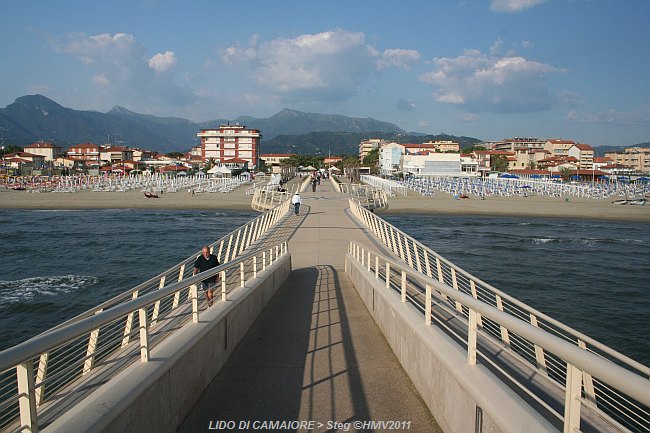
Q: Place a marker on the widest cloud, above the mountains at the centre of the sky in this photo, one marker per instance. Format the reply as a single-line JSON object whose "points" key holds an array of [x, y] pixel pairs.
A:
{"points": [[329, 65]]}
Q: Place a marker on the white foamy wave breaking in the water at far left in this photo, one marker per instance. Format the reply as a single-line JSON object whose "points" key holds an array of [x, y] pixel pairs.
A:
{"points": [[28, 289]]}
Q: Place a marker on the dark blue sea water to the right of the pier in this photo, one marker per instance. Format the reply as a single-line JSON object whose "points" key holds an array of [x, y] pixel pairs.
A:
{"points": [[592, 275]]}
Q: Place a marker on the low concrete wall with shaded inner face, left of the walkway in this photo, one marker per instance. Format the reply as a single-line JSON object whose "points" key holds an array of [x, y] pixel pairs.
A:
{"points": [[157, 396]]}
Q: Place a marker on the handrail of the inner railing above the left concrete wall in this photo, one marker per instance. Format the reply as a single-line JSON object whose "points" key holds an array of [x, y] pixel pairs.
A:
{"points": [[42, 343]]}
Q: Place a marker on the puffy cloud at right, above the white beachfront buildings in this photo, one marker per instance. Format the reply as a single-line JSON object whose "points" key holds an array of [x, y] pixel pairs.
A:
{"points": [[490, 82]]}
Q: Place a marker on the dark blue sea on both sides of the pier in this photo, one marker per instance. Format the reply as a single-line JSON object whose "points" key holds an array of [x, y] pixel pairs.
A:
{"points": [[593, 275]]}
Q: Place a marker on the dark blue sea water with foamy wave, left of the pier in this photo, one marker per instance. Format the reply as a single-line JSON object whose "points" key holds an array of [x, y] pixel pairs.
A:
{"points": [[55, 264]]}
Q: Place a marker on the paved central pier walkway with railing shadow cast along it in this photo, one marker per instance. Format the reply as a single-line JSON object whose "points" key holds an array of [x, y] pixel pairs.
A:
{"points": [[315, 353]]}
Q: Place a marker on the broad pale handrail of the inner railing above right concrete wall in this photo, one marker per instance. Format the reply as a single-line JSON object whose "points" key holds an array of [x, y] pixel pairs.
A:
{"points": [[632, 384]]}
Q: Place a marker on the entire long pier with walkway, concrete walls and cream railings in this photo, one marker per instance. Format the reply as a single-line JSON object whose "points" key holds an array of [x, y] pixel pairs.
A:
{"points": [[332, 316]]}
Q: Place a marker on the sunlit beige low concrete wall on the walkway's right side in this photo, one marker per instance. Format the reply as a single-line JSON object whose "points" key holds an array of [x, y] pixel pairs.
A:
{"points": [[438, 367]]}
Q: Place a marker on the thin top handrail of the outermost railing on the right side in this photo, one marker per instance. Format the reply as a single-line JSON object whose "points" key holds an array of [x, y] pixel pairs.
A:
{"points": [[595, 343]]}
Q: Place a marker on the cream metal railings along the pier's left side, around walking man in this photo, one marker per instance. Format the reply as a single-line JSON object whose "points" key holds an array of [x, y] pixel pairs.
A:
{"points": [[36, 372]]}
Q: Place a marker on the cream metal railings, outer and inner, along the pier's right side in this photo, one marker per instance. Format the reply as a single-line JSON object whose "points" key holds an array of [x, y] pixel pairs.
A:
{"points": [[621, 405]]}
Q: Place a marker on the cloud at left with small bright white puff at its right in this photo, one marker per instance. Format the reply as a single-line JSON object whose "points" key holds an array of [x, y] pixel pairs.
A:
{"points": [[123, 69]]}
